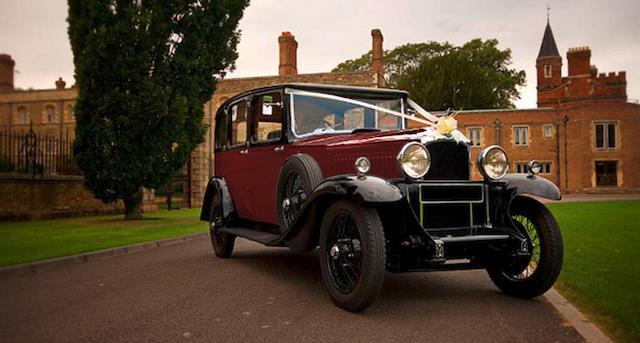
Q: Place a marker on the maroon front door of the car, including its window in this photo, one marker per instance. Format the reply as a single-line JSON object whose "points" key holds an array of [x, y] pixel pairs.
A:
{"points": [[267, 154]]}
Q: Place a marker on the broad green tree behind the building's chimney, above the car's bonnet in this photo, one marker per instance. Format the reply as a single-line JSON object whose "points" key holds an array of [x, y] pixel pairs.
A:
{"points": [[441, 76]]}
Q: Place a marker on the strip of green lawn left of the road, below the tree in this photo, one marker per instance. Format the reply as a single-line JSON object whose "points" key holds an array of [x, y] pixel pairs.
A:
{"points": [[37, 240]]}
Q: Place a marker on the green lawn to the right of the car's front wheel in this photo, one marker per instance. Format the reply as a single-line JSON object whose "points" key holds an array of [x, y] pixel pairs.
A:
{"points": [[601, 271]]}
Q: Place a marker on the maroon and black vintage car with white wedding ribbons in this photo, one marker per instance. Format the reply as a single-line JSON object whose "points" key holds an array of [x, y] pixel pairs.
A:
{"points": [[380, 185]]}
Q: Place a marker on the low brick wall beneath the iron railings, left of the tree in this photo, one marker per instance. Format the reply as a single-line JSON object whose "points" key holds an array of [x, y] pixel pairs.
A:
{"points": [[24, 198]]}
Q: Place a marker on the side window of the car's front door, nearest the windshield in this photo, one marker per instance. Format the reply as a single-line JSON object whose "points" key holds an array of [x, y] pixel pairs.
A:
{"points": [[267, 117]]}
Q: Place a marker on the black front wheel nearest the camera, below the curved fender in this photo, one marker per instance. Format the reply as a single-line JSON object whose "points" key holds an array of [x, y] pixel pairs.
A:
{"points": [[369, 258]]}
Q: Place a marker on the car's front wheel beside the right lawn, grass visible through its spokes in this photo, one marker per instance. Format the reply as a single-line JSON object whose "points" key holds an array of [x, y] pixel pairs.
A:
{"points": [[537, 275]]}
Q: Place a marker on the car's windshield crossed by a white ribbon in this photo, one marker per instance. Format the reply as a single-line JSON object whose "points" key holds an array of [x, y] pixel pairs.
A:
{"points": [[315, 114]]}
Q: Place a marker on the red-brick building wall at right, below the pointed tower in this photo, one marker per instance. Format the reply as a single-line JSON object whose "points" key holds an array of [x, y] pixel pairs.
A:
{"points": [[571, 153]]}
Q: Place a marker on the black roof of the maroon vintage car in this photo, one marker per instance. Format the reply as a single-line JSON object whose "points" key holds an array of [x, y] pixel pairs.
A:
{"points": [[322, 88]]}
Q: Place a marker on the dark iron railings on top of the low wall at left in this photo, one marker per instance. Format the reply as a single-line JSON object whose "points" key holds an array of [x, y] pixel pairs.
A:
{"points": [[37, 154]]}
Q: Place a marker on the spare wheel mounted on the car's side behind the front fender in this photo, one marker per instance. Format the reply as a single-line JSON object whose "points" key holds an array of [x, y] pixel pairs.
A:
{"points": [[299, 175]]}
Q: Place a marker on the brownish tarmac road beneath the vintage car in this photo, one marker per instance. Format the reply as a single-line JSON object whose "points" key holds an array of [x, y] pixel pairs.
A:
{"points": [[182, 293]]}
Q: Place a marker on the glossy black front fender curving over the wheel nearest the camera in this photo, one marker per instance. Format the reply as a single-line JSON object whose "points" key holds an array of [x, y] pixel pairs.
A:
{"points": [[371, 190]]}
